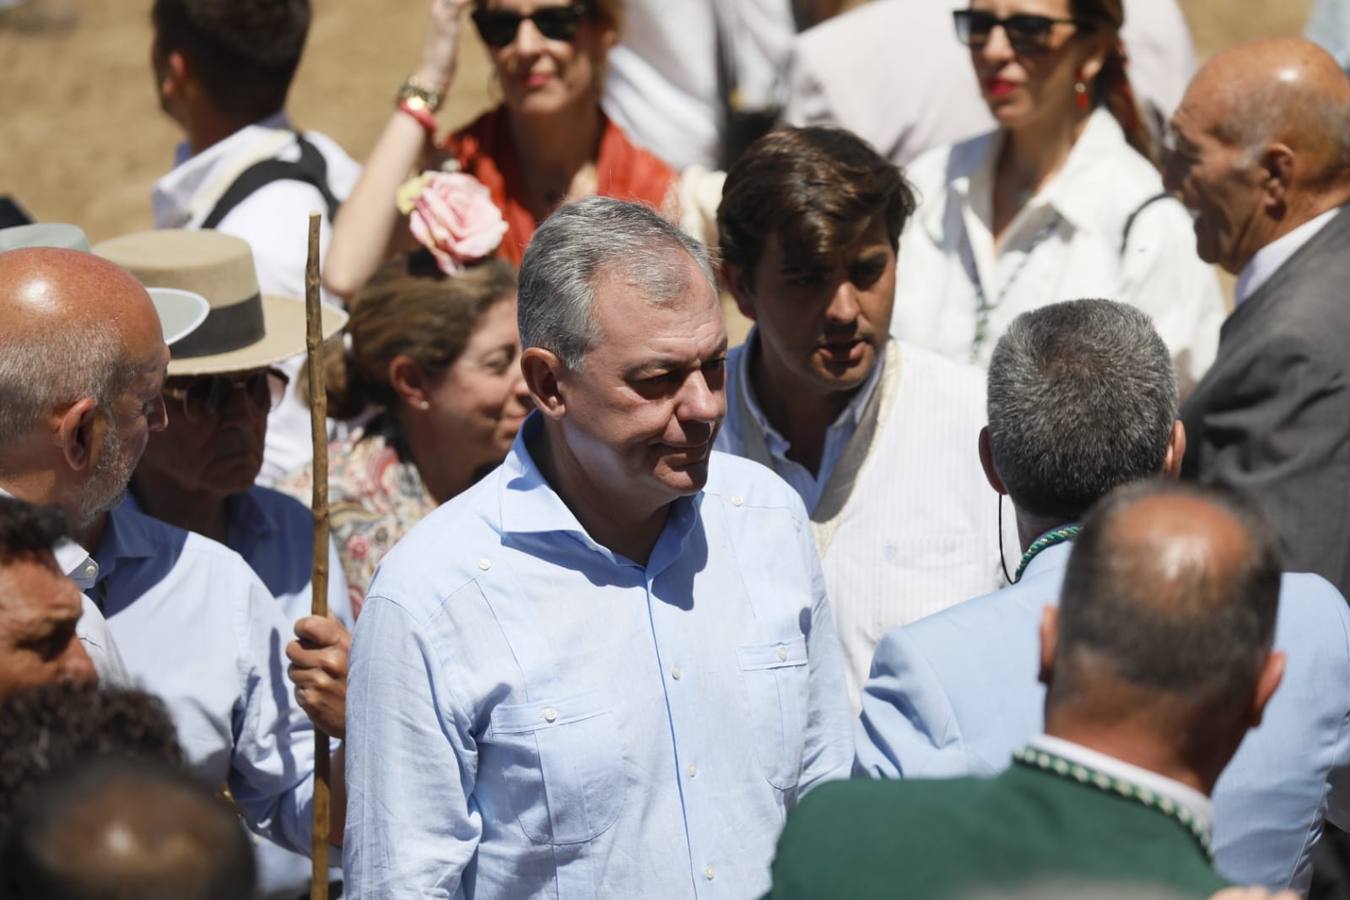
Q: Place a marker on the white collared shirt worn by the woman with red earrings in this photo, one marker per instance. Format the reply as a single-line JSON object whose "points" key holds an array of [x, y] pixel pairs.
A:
{"points": [[1064, 245]]}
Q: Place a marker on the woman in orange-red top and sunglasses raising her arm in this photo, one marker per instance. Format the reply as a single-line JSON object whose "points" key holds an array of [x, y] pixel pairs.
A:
{"points": [[547, 144]]}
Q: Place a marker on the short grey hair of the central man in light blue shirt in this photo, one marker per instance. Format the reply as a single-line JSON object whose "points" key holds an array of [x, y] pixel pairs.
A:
{"points": [[584, 242]]}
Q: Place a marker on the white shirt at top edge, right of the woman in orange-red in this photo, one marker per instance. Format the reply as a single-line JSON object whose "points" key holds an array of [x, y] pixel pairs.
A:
{"points": [[662, 87]]}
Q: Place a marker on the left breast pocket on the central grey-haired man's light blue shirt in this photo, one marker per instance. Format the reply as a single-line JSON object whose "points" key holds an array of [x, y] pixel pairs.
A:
{"points": [[561, 766]]}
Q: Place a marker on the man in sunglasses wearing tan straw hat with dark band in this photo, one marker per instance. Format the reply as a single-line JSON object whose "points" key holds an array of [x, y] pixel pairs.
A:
{"points": [[199, 473]]}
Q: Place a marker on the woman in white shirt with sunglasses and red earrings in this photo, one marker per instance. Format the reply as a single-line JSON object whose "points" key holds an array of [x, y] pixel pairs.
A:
{"points": [[1062, 202]]}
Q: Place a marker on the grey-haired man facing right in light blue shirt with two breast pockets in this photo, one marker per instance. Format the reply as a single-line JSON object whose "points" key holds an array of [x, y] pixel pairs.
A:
{"points": [[610, 669]]}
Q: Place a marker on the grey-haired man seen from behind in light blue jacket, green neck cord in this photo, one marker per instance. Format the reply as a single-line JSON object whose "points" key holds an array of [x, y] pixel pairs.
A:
{"points": [[1082, 400]]}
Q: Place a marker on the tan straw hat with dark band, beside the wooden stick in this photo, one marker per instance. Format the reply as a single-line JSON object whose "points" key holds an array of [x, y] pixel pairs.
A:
{"points": [[245, 329]]}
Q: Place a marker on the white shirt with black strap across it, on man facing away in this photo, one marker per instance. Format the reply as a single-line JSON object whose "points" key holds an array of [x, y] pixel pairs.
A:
{"points": [[275, 221]]}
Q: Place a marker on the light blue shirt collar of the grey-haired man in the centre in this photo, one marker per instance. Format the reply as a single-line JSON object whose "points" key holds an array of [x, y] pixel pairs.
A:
{"points": [[530, 505]]}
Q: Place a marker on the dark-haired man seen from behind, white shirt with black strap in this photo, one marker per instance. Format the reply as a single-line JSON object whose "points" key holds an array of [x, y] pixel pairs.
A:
{"points": [[223, 69]]}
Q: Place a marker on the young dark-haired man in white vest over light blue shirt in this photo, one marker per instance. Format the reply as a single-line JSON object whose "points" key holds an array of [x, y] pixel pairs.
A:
{"points": [[859, 424]]}
